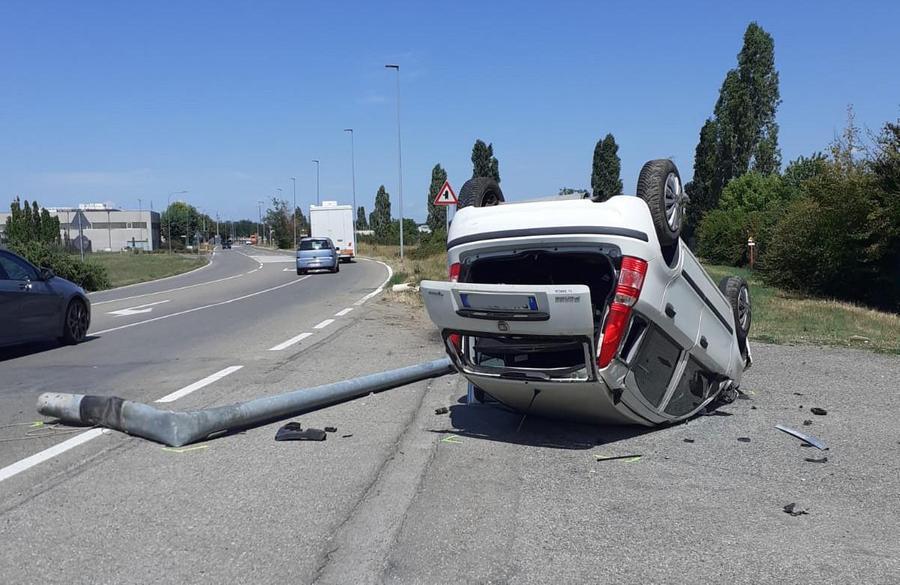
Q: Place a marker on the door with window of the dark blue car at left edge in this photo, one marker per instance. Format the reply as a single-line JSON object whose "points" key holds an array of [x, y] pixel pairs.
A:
{"points": [[37, 305]]}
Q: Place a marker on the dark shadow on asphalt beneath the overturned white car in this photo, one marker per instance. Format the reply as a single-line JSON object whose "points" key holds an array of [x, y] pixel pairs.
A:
{"points": [[494, 422]]}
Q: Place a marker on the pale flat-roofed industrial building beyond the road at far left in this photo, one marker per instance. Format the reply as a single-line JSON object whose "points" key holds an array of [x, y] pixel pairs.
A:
{"points": [[98, 227]]}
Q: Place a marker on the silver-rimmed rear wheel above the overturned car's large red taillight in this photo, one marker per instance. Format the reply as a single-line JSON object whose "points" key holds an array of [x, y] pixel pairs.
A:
{"points": [[659, 185]]}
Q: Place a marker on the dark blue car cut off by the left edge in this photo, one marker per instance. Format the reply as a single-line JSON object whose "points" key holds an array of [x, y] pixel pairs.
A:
{"points": [[36, 304]]}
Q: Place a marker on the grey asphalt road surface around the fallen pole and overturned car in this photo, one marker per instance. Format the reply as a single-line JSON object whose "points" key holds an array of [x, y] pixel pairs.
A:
{"points": [[402, 495]]}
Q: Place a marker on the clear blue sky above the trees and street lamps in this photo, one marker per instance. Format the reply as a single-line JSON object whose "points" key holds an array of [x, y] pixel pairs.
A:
{"points": [[115, 101]]}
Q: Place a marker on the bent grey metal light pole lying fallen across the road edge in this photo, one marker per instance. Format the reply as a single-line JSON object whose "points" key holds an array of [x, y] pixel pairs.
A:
{"points": [[180, 428]]}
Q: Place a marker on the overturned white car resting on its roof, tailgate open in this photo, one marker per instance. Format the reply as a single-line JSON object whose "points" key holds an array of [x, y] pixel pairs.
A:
{"points": [[591, 311]]}
